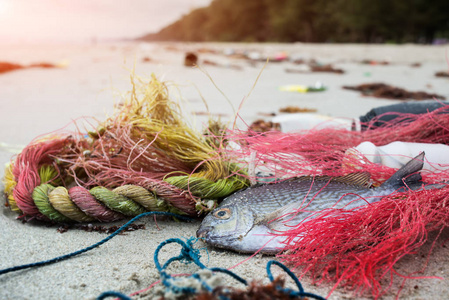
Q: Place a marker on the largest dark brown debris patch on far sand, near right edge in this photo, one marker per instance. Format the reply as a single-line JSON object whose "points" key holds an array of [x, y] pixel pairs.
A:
{"points": [[381, 90]]}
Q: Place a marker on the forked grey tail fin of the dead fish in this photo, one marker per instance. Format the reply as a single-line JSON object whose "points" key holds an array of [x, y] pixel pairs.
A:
{"points": [[406, 173]]}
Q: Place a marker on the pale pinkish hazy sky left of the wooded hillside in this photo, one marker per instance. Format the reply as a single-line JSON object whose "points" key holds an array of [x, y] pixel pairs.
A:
{"points": [[86, 20]]}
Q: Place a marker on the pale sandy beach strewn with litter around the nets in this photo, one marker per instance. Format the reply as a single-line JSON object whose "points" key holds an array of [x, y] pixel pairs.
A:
{"points": [[92, 78]]}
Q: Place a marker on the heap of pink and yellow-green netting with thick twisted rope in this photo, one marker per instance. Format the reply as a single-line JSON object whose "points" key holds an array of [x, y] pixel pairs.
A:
{"points": [[143, 158]]}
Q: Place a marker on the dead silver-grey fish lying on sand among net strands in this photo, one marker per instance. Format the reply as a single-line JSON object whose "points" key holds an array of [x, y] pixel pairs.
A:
{"points": [[244, 222]]}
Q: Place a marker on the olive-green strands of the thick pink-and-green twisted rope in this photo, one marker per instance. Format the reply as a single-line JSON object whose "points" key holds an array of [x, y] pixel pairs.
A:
{"points": [[130, 200]]}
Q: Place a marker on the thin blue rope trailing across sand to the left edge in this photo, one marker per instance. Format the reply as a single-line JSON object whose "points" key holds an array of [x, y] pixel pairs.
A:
{"points": [[67, 256]]}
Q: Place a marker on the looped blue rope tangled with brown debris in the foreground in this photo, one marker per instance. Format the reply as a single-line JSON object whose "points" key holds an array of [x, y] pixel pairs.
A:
{"points": [[204, 284]]}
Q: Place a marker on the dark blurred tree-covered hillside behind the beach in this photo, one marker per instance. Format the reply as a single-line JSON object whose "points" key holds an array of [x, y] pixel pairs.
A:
{"points": [[359, 21]]}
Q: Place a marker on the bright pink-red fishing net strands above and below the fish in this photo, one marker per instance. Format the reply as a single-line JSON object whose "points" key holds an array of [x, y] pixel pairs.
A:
{"points": [[356, 248]]}
